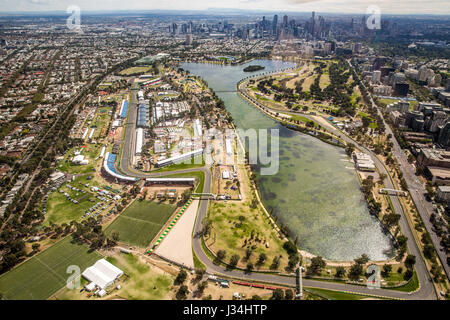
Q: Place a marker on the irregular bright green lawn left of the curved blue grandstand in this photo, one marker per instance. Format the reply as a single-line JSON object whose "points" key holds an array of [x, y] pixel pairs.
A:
{"points": [[60, 210]]}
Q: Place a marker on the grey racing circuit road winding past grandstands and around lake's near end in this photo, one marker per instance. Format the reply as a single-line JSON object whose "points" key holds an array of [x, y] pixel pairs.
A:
{"points": [[424, 293]]}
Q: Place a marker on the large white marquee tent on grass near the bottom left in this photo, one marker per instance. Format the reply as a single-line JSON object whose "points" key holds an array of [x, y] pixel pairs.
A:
{"points": [[102, 273]]}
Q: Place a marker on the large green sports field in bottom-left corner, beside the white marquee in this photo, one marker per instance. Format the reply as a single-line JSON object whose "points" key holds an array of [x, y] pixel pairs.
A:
{"points": [[45, 273]]}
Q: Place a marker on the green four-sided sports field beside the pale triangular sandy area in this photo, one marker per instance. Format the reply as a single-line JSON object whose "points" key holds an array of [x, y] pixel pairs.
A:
{"points": [[140, 222]]}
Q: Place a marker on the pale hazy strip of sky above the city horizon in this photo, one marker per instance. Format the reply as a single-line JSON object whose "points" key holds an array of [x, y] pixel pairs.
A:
{"points": [[333, 6]]}
